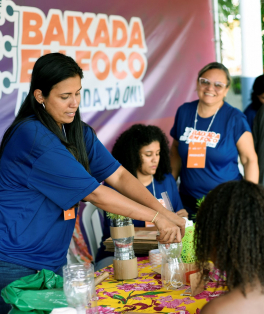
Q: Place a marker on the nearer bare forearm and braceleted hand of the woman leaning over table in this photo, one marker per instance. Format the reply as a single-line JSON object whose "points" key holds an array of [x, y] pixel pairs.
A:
{"points": [[114, 202]]}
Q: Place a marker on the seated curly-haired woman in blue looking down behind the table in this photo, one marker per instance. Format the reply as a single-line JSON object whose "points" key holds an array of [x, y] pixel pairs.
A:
{"points": [[144, 151]]}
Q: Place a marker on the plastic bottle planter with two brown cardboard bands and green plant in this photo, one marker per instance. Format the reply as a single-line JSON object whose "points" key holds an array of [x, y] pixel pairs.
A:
{"points": [[122, 233]]}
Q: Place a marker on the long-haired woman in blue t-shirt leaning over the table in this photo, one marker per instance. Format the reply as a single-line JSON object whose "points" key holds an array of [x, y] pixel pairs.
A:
{"points": [[49, 161]]}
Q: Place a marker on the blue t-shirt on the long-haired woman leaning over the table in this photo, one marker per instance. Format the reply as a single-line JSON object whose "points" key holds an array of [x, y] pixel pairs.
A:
{"points": [[39, 179]]}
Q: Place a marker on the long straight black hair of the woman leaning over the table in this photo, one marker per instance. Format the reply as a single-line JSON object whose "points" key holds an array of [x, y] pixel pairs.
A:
{"points": [[48, 71]]}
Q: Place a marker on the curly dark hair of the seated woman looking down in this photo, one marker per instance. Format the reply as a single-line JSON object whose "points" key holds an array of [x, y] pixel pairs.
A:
{"points": [[128, 144]]}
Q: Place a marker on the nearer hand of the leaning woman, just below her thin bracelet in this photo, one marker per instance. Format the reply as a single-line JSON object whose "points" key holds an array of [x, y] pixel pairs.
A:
{"points": [[168, 231]]}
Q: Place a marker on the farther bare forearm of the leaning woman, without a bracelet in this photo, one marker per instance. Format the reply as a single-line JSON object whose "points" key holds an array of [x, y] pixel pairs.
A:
{"points": [[125, 183]]}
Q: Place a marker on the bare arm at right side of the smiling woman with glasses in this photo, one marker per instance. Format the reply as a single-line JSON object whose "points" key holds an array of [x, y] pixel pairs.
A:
{"points": [[248, 157]]}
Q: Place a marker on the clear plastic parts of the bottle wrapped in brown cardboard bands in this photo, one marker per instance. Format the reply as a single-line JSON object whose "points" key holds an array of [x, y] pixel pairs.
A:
{"points": [[123, 246]]}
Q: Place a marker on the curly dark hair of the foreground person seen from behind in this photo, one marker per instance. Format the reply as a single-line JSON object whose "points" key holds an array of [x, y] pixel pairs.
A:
{"points": [[229, 231]]}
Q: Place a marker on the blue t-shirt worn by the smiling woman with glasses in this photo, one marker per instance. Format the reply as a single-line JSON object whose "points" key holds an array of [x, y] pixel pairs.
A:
{"points": [[221, 153]]}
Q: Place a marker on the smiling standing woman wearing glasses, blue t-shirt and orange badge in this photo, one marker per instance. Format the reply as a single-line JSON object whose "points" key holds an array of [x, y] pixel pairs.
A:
{"points": [[209, 134]]}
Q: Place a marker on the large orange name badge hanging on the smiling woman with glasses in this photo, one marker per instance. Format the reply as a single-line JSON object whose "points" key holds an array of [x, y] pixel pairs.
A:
{"points": [[196, 155]]}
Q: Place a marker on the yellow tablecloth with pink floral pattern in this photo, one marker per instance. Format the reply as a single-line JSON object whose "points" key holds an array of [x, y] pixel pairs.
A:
{"points": [[145, 294]]}
